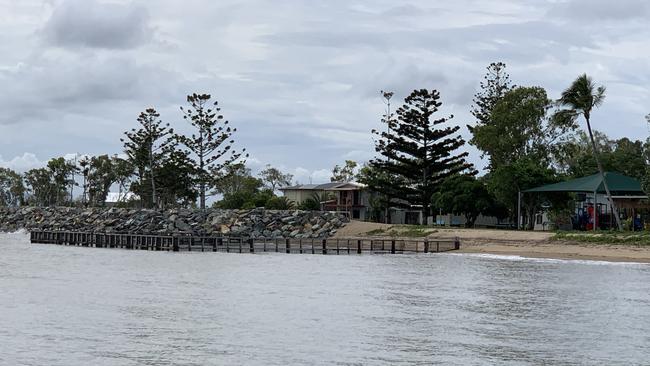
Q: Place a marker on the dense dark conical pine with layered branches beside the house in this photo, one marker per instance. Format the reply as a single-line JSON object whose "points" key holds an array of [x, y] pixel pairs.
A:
{"points": [[419, 151]]}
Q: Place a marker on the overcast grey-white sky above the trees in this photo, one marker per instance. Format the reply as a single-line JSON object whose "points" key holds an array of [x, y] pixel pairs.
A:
{"points": [[299, 79]]}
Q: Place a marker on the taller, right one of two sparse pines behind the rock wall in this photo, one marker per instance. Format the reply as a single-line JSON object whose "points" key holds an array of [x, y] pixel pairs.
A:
{"points": [[211, 145]]}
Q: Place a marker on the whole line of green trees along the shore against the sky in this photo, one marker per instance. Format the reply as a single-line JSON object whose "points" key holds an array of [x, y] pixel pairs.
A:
{"points": [[527, 138]]}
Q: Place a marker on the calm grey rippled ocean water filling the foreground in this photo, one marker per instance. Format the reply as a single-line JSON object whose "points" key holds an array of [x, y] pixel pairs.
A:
{"points": [[87, 306]]}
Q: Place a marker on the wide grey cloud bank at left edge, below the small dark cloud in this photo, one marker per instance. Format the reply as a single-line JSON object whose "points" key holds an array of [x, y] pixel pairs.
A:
{"points": [[49, 86]]}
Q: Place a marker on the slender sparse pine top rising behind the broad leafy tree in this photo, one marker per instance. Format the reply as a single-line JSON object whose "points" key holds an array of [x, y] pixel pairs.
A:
{"points": [[495, 85]]}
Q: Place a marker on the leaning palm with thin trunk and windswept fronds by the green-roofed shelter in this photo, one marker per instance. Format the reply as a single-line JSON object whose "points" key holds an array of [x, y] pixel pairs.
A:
{"points": [[580, 99]]}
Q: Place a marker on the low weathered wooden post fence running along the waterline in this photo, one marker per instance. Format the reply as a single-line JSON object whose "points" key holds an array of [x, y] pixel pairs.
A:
{"points": [[232, 244]]}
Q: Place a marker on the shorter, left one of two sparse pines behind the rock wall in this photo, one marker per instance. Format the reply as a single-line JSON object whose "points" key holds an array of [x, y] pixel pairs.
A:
{"points": [[145, 149]]}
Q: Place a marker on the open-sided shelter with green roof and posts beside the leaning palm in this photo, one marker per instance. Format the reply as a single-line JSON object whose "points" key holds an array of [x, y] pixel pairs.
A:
{"points": [[626, 191]]}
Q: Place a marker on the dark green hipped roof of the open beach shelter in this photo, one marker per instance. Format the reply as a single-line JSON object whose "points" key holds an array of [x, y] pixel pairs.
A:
{"points": [[619, 183]]}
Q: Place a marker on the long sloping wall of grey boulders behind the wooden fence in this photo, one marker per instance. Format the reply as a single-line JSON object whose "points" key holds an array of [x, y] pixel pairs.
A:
{"points": [[250, 223]]}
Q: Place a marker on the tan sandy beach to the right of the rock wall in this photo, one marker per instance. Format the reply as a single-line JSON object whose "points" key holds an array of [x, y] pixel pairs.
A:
{"points": [[531, 244]]}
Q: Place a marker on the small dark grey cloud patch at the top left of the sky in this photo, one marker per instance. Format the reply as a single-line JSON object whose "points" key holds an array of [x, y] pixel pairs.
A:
{"points": [[94, 24]]}
